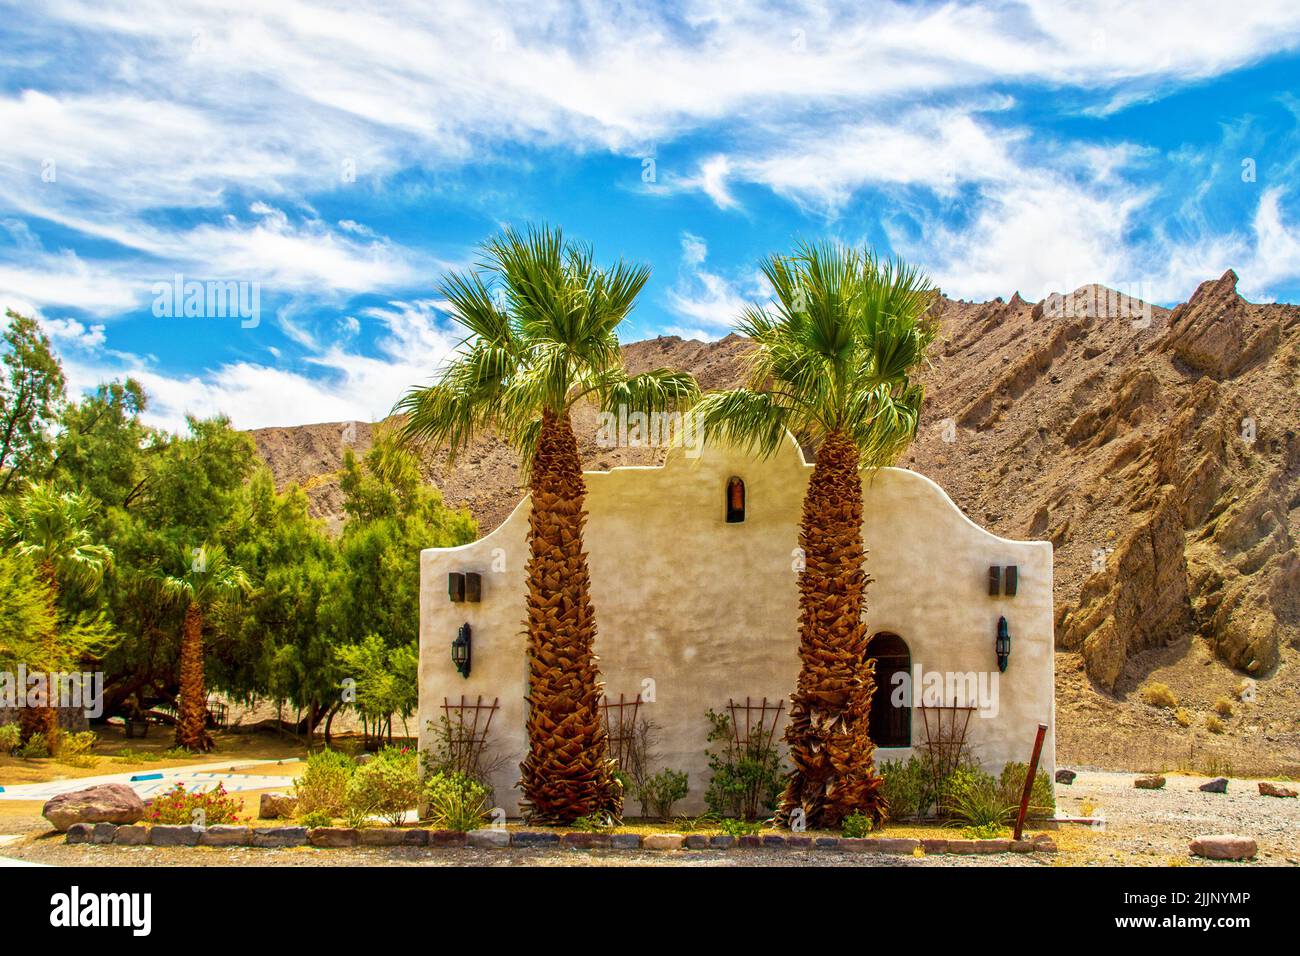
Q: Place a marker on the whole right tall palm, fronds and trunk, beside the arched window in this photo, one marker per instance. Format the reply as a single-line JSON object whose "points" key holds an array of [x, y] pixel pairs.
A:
{"points": [[835, 356]]}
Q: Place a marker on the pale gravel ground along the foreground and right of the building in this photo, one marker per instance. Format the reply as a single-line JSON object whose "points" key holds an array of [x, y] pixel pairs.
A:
{"points": [[1142, 829]]}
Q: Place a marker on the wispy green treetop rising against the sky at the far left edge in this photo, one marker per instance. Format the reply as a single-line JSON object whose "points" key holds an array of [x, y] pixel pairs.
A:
{"points": [[31, 395]]}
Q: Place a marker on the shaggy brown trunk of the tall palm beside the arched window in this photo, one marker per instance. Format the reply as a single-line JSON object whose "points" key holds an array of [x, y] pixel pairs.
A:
{"points": [[831, 752]]}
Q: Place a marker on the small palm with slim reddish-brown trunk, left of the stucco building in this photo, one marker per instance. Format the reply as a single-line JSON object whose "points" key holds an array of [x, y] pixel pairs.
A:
{"points": [[210, 578]]}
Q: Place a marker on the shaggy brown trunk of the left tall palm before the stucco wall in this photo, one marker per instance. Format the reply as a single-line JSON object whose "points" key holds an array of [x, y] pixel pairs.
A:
{"points": [[567, 773]]}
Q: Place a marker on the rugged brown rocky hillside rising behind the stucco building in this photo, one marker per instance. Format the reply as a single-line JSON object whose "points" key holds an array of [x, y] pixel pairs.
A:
{"points": [[1156, 449]]}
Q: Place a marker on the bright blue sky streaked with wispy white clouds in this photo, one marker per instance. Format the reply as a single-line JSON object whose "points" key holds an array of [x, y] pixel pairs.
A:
{"points": [[341, 158]]}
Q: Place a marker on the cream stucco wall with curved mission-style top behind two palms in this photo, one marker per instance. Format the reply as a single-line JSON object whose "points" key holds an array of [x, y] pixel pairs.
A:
{"points": [[709, 611]]}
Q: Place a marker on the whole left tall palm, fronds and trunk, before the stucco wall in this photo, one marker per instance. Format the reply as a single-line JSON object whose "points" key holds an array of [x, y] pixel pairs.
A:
{"points": [[549, 343]]}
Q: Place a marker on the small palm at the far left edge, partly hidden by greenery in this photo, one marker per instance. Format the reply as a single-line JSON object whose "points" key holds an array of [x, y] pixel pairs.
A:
{"points": [[53, 530]]}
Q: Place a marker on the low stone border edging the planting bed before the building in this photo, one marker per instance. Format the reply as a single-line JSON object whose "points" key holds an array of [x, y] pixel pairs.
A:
{"points": [[332, 837]]}
